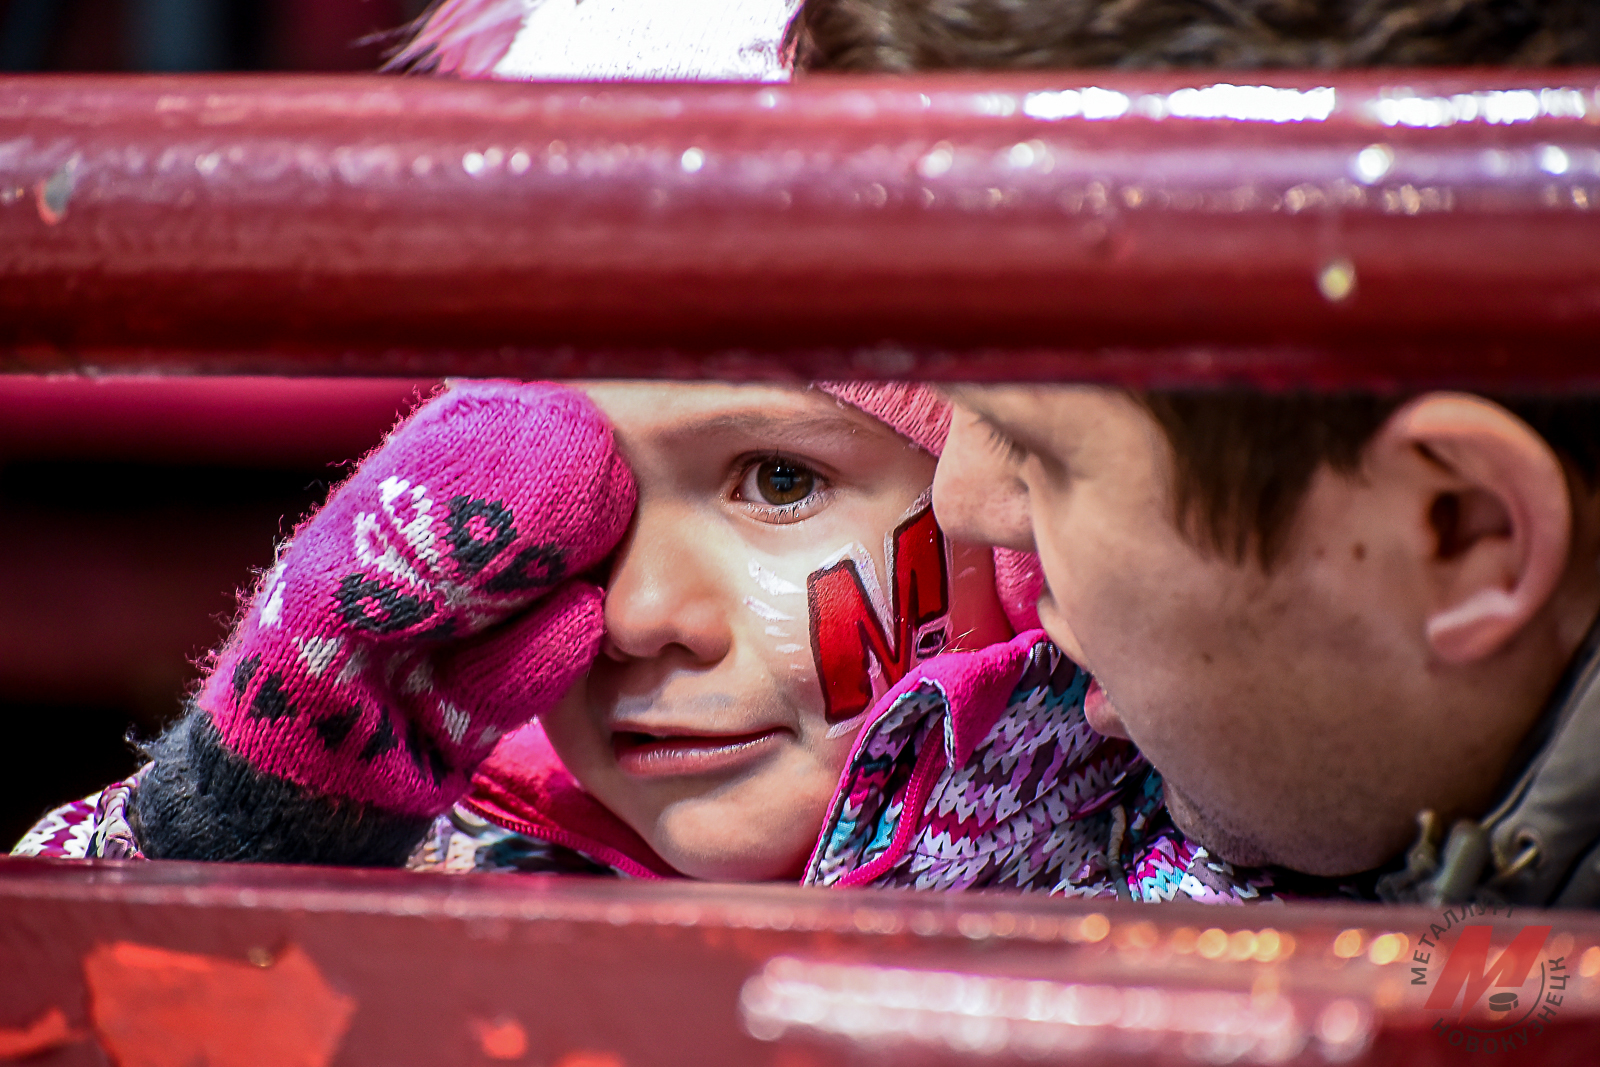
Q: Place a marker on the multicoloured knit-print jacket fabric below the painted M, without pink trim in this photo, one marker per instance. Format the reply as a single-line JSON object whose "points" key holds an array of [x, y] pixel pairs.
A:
{"points": [[1034, 810]]}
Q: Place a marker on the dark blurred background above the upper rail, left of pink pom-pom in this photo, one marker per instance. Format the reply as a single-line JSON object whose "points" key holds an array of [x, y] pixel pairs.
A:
{"points": [[201, 34]]}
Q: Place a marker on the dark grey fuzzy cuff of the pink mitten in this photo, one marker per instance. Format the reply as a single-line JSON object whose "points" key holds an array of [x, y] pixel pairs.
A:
{"points": [[202, 802]]}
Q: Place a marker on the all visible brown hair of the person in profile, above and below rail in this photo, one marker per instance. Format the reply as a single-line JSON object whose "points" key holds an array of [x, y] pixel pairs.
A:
{"points": [[1242, 458]]}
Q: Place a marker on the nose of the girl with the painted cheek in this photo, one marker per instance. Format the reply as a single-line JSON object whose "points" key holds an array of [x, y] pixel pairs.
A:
{"points": [[665, 593]]}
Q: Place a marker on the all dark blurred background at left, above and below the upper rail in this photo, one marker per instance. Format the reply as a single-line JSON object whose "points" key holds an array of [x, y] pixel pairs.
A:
{"points": [[132, 511]]}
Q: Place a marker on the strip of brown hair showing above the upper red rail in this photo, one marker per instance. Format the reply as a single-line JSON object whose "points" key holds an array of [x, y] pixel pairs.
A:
{"points": [[902, 36]]}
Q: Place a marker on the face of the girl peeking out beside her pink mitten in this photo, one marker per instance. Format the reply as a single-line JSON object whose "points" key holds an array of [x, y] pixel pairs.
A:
{"points": [[705, 724]]}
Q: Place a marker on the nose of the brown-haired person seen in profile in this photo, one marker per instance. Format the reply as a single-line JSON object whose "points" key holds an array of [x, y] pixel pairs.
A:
{"points": [[978, 494]]}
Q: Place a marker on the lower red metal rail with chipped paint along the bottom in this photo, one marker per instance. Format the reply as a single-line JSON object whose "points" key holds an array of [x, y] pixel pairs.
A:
{"points": [[178, 964]]}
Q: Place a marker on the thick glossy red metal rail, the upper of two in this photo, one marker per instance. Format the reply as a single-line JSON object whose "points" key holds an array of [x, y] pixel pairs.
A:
{"points": [[1356, 230]]}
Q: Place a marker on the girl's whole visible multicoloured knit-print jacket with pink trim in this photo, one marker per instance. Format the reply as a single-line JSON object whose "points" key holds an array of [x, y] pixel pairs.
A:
{"points": [[977, 772]]}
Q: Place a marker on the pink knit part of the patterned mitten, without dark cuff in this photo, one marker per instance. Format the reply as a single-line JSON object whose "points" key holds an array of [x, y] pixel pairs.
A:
{"points": [[431, 607]]}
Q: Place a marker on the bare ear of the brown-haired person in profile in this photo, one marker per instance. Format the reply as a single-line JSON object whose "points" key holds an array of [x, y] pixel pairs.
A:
{"points": [[1497, 519]]}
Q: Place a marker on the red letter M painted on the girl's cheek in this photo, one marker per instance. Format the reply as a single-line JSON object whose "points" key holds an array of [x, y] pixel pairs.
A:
{"points": [[863, 645]]}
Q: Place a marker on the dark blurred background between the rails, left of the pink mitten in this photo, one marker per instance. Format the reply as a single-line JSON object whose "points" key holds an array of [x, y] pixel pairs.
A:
{"points": [[132, 513]]}
